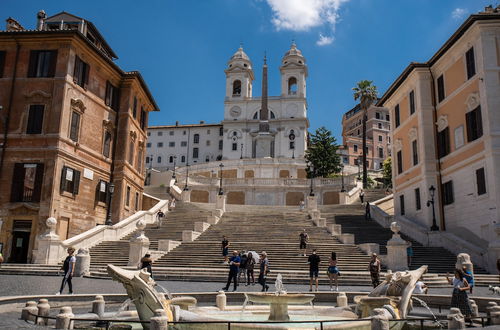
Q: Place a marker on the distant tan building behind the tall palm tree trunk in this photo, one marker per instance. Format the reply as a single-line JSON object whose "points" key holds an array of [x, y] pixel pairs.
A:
{"points": [[377, 137]]}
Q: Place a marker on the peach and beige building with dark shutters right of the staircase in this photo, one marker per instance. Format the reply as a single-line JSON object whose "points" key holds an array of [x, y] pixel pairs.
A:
{"points": [[445, 124]]}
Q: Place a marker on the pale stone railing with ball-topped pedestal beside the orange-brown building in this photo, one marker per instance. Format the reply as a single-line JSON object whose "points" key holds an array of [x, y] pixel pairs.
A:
{"points": [[51, 250]]}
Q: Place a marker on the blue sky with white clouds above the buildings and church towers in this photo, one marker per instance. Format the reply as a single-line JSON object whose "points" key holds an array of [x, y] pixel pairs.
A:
{"points": [[181, 47]]}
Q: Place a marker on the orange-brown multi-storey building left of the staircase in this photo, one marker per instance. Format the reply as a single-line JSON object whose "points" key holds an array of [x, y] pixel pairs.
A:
{"points": [[72, 122]]}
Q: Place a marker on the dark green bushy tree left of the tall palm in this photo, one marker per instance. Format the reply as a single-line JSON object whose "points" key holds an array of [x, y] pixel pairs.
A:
{"points": [[321, 154]]}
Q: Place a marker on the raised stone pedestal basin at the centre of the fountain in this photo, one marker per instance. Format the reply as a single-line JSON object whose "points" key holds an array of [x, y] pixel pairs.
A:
{"points": [[278, 303]]}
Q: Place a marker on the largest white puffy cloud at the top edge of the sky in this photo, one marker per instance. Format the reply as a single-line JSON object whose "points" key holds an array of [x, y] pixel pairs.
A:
{"points": [[302, 15]]}
